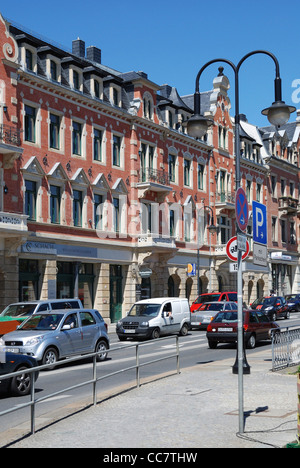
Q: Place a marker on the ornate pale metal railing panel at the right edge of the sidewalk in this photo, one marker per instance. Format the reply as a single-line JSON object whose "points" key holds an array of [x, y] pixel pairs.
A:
{"points": [[285, 347]]}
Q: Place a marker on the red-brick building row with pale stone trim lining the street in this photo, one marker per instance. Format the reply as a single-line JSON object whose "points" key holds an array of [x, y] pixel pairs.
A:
{"points": [[105, 196]]}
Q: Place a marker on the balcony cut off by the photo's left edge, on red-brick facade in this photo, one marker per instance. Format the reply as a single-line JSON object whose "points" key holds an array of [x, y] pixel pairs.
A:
{"points": [[10, 142]]}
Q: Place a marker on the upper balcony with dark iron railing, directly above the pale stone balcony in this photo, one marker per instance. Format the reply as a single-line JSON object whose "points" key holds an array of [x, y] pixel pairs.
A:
{"points": [[154, 180]]}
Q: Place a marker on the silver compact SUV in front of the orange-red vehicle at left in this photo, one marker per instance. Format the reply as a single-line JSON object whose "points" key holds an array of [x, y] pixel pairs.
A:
{"points": [[51, 336]]}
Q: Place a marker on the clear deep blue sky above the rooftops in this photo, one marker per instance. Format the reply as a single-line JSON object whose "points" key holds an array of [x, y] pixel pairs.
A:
{"points": [[171, 40]]}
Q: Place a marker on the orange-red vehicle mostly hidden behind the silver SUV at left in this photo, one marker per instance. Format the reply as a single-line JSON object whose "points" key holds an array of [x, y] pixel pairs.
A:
{"points": [[16, 313]]}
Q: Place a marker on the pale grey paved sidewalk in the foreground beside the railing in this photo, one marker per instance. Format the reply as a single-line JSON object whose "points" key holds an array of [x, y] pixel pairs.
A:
{"points": [[196, 409]]}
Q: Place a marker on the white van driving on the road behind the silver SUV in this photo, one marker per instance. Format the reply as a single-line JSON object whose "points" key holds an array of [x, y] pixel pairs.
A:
{"points": [[152, 318]]}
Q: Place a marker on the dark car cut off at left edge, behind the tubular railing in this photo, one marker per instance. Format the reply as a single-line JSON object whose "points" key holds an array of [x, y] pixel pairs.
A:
{"points": [[21, 384]]}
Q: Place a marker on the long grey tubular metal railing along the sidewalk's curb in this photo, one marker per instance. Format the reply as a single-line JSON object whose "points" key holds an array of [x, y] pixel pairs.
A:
{"points": [[93, 382]]}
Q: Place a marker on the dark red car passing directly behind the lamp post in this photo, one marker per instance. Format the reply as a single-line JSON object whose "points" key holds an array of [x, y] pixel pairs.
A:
{"points": [[224, 328]]}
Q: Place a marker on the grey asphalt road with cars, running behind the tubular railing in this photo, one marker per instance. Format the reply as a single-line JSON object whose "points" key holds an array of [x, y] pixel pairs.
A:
{"points": [[193, 351]]}
